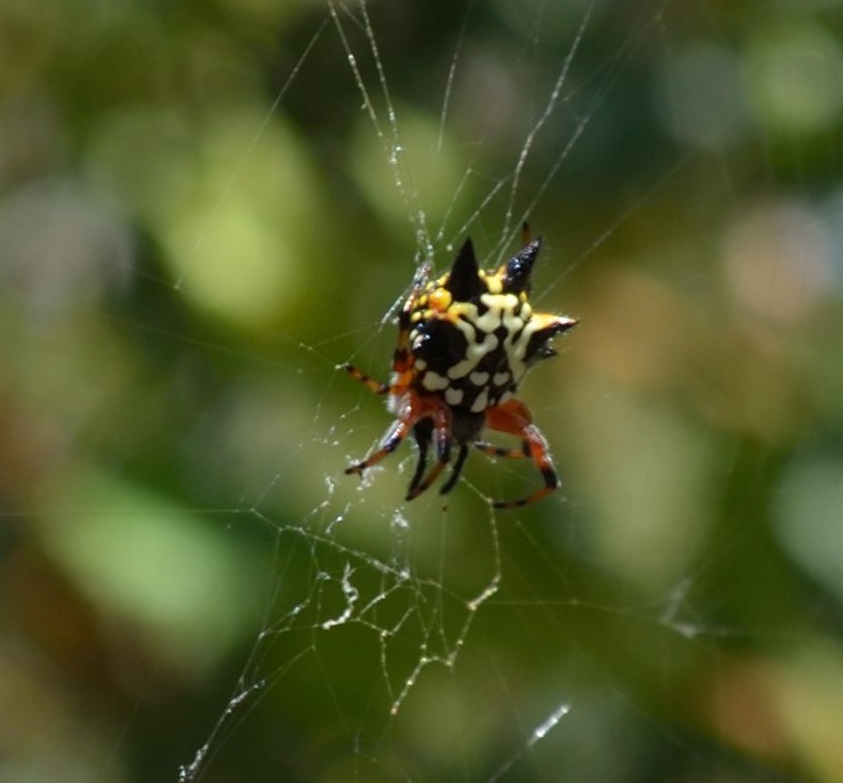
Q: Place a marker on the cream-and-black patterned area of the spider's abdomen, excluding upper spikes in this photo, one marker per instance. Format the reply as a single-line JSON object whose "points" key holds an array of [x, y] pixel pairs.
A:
{"points": [[476, 353]]}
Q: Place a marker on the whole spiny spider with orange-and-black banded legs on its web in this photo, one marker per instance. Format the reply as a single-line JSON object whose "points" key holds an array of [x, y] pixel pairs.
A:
{"points": [[465, 341]]}
